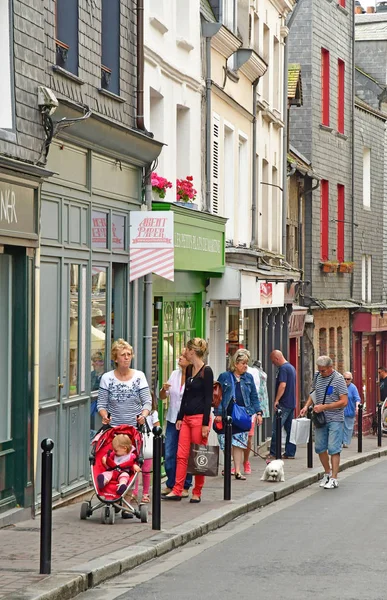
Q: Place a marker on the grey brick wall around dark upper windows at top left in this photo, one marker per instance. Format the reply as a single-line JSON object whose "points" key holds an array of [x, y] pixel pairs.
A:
{"points": [[34, 56]]}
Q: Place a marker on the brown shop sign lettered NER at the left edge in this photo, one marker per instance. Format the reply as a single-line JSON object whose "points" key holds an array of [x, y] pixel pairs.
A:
{"points": [[17, 210]]}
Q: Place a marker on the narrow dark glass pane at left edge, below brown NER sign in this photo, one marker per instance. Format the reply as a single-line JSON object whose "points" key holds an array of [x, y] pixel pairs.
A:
{"points": [[5, 345]]}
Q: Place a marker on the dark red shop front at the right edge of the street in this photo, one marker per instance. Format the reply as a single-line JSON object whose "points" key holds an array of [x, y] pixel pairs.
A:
{"points": [[369, 347]]}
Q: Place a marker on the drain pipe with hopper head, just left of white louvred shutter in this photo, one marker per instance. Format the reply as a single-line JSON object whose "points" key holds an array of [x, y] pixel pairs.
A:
{"points": [[208, 31]]}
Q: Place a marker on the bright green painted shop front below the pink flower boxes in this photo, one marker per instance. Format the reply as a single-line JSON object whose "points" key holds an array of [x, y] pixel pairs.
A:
{"points": [[179, 305]]}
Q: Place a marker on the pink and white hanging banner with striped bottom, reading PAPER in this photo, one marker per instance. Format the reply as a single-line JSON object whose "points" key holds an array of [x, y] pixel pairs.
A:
{"points": [[151, 244]]}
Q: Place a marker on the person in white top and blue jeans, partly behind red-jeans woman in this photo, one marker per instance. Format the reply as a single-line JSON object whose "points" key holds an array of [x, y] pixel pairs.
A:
{"points": [[174, 390]]}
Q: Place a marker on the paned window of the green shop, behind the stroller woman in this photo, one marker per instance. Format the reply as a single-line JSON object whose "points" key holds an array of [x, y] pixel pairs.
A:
{"points": [[179, 326]]}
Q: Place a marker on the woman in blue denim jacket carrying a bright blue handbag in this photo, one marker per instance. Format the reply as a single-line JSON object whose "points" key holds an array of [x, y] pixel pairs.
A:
{"points": [[238, 386]]}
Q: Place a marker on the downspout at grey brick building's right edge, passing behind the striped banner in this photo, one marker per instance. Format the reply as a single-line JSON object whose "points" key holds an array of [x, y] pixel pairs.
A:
{"points": [[148, 281]]}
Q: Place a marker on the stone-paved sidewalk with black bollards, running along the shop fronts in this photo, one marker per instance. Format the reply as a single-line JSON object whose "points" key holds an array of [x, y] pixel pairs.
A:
{"points": [[77, 542]]}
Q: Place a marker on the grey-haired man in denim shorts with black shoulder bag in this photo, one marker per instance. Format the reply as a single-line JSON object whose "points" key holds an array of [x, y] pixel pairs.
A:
{"points": [[331, 398]]}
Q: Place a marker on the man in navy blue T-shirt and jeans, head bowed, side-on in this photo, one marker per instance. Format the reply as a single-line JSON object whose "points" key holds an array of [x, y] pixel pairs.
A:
{"points": [[285, 399]]}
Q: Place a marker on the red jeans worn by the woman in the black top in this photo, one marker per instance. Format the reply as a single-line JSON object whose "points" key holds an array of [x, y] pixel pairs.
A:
{"points": [[190, 433]]}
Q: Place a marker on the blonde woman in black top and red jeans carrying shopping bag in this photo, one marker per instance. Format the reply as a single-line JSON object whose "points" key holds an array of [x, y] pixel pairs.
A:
{"points": [[193, 419]]}
